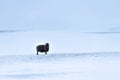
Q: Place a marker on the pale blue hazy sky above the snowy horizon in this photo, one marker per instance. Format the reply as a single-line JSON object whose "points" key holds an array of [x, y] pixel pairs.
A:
{"points": [[81, 15]]}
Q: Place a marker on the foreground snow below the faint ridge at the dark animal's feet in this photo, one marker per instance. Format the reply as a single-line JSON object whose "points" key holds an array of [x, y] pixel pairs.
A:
{"points": [[67, 66]]}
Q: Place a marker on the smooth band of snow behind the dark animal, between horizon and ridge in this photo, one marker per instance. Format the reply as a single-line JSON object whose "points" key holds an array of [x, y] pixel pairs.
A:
{"points": [[25, 42]]}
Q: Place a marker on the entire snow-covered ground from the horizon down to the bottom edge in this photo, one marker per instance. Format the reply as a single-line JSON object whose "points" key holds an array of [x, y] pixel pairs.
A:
{"points": [[72, 56]]}
